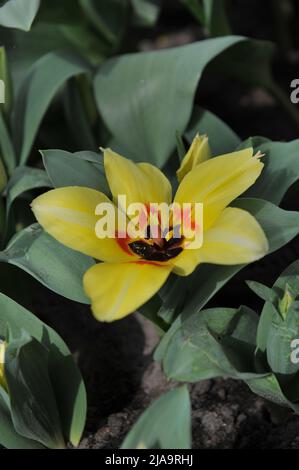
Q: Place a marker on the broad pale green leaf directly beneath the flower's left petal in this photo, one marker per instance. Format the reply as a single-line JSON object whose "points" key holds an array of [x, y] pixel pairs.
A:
{"points": [[57, 267]]}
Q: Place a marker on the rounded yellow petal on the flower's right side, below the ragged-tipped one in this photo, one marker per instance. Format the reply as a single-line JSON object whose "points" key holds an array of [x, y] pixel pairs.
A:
{"points": [[236, 238]]}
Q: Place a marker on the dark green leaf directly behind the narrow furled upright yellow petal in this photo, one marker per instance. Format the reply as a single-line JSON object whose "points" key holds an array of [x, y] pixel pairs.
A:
{"points": [[221, 138]]}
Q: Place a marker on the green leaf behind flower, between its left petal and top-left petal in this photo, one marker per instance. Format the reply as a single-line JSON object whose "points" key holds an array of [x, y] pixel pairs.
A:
{"points": [[75, 169]]}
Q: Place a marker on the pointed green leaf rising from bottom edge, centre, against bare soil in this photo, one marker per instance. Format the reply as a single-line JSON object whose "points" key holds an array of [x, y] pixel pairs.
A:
{"points": [[166, 424]]}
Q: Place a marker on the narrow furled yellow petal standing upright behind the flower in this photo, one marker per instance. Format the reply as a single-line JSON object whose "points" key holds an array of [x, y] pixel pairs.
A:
{"points": [[198, 152]]}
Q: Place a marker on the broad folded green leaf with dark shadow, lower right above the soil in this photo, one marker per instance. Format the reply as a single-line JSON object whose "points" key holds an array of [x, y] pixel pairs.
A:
{"points": [[216, 342]]}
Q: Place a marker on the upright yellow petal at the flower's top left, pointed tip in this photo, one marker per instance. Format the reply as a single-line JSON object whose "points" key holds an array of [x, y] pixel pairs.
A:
{"points": [[140, 182]]}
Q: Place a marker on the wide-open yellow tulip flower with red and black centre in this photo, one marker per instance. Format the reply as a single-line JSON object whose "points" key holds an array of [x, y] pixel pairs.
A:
{"points": [[130, 273]]}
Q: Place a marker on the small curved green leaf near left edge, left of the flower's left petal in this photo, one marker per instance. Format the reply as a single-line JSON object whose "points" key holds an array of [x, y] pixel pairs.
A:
{"points": [[24, 179]]}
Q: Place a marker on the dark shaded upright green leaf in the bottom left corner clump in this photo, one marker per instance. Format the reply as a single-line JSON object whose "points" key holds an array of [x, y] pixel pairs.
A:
{"points": [[32, 400]]}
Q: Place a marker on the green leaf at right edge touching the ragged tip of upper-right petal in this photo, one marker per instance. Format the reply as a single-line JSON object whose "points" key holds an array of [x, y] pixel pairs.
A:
{"points": [[280, 172]]}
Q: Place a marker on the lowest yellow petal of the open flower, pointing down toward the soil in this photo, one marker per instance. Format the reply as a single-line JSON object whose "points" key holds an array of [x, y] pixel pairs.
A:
{"points": [[117, 289]]}
